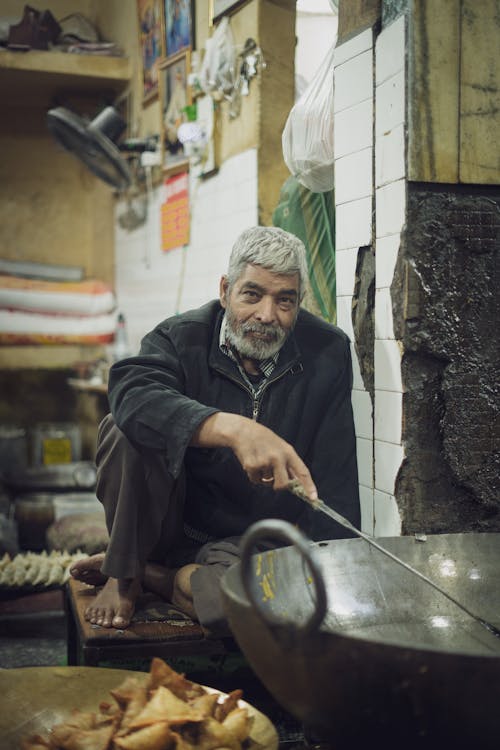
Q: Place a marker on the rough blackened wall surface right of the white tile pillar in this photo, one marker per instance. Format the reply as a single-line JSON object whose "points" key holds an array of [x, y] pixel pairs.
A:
{"points": [[446, 312]]}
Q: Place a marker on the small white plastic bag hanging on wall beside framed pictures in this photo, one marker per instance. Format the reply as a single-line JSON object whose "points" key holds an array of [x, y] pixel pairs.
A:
{"points": [[217, 75]]}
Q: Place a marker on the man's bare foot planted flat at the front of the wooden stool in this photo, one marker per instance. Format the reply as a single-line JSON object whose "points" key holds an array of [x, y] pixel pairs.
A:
{"points": [[114, 605]]}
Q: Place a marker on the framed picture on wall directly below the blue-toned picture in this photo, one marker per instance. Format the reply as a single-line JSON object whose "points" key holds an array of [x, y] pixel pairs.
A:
{"points": [[175, 97]]}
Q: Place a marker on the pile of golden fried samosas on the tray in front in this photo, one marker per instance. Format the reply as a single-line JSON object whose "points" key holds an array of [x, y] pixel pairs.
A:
{"points": [[165, 712]]}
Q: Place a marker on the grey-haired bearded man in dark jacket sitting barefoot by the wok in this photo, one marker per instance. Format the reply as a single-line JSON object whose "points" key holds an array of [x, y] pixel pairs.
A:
{"points": [[223, 406]]}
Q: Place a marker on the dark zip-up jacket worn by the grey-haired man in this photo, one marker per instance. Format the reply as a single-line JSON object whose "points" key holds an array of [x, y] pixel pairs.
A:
{"points": [[180, 377]]}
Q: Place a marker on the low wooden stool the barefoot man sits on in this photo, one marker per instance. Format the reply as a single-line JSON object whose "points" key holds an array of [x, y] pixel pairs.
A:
{"points": [[89, 644]]}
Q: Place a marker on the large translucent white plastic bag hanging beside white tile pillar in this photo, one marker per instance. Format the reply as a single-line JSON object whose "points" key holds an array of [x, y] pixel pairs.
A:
{"points": [[307, 138]]}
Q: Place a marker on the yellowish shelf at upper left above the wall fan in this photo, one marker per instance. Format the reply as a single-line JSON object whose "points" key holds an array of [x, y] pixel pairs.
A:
{"points": [[39, 78]]}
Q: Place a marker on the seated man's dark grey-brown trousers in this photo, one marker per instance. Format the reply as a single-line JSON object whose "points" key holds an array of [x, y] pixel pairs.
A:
{"points": [[143, 506]]}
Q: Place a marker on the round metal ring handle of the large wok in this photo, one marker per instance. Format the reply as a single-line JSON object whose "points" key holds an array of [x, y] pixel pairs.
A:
{"points": [[282, 531]]}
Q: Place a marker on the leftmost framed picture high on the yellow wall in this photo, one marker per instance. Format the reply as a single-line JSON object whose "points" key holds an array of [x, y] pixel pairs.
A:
{"points": [[151, 39]]}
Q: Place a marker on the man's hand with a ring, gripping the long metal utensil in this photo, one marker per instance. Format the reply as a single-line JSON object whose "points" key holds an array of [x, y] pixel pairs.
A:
{"points": [[265, 457]]}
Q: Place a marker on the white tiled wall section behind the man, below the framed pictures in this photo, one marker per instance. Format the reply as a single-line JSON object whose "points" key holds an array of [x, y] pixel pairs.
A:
{"points": [[152, 285]]}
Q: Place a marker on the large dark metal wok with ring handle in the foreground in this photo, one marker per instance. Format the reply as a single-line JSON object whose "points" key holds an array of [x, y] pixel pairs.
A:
{"points": [[360, 649]]}
